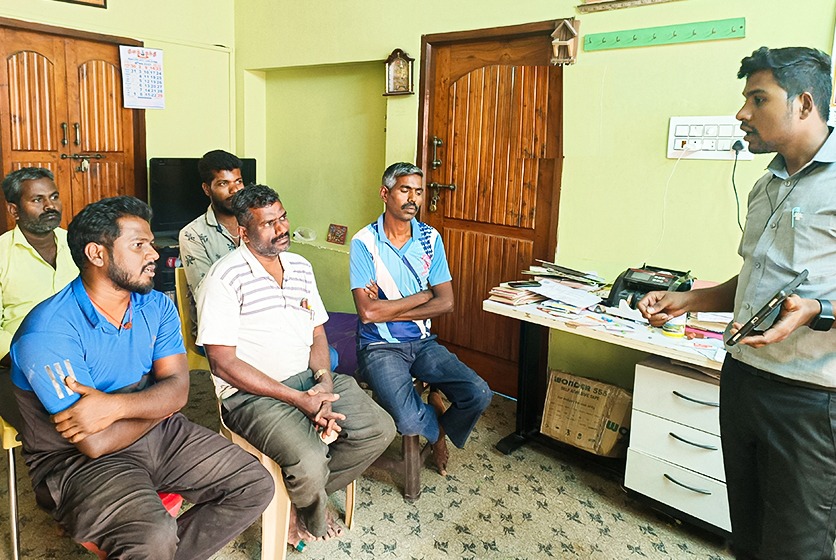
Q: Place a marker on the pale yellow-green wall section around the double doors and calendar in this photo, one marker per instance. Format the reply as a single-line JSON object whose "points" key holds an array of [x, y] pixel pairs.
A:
{"points": [[198, 72]]}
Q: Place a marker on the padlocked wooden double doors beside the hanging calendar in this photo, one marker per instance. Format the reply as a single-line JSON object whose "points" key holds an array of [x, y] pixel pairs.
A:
{"points": [[60, 100]]}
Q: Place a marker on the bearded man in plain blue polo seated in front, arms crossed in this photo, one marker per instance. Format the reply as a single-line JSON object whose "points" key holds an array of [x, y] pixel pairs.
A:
{"points": [[100, 374]]}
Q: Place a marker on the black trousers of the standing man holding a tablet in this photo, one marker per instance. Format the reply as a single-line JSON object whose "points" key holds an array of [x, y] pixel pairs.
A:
{"points": [[779, 450]]}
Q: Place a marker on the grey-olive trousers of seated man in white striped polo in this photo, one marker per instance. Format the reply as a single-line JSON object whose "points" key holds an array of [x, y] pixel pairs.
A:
{"points": [[311, 470]]}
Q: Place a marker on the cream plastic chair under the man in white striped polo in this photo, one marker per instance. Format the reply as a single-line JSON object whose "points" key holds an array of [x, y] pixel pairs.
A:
{"points": [[275, 521]]}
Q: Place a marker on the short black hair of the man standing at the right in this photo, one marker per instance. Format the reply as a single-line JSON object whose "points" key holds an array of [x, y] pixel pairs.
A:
{"points": [[796, 69]]}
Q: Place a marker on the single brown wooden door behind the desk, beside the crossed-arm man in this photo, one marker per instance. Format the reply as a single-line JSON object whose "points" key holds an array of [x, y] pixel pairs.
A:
{"points": [[496, 105]]}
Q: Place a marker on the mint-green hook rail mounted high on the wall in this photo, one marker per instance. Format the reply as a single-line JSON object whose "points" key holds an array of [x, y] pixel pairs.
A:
{"points": [[733, 28]]}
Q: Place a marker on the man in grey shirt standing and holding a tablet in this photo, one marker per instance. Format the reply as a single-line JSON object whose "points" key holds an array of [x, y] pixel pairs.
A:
{"points": [[777, 406]]}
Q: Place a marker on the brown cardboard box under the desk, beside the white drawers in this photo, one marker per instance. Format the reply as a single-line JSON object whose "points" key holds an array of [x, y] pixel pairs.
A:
{"points": [[587, 414]]}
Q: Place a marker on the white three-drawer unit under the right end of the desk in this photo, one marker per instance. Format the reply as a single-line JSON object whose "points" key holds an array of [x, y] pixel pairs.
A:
{"points": [[675, 455]]}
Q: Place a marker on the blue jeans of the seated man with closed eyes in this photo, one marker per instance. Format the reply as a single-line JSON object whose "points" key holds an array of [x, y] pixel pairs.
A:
{"points": [[389, 369]]}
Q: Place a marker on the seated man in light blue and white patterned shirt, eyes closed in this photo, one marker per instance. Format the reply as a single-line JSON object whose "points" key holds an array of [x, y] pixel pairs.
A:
{"points": [[399, 280]]}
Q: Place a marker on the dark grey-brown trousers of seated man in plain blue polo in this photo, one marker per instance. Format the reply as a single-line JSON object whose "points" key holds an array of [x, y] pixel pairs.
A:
{"points": [[112, 501]]}
